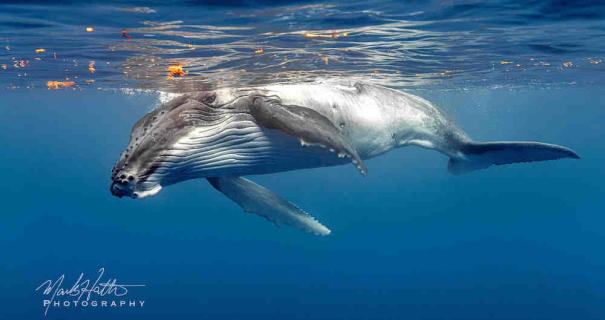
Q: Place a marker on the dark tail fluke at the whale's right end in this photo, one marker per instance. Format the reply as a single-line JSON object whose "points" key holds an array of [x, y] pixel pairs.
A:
{"points": [[480, 155]]}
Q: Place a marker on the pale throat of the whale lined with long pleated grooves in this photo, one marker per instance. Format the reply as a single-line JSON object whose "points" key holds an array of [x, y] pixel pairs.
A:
{"points": [[237, 146]]}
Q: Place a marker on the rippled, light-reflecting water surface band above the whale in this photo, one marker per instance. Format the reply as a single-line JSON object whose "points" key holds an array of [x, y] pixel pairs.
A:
{"points": [[441, 44]]}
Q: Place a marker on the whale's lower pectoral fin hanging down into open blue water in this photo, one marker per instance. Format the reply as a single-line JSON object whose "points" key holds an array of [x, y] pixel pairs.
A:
{"points": [[259, 200]]}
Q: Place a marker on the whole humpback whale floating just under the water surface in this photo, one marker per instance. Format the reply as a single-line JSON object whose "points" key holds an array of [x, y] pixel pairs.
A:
{"points": [[225, 134]]}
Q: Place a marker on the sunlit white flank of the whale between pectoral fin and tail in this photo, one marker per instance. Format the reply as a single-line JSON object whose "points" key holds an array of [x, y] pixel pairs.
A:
{"points": [[376, 119]]}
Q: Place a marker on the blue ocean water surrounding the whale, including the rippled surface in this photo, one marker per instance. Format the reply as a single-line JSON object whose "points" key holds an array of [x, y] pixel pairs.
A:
{"points": [[409, 241]]}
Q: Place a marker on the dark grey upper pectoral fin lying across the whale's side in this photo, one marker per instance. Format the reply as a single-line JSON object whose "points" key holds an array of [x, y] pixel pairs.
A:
{"points": [[308, 125]]}
